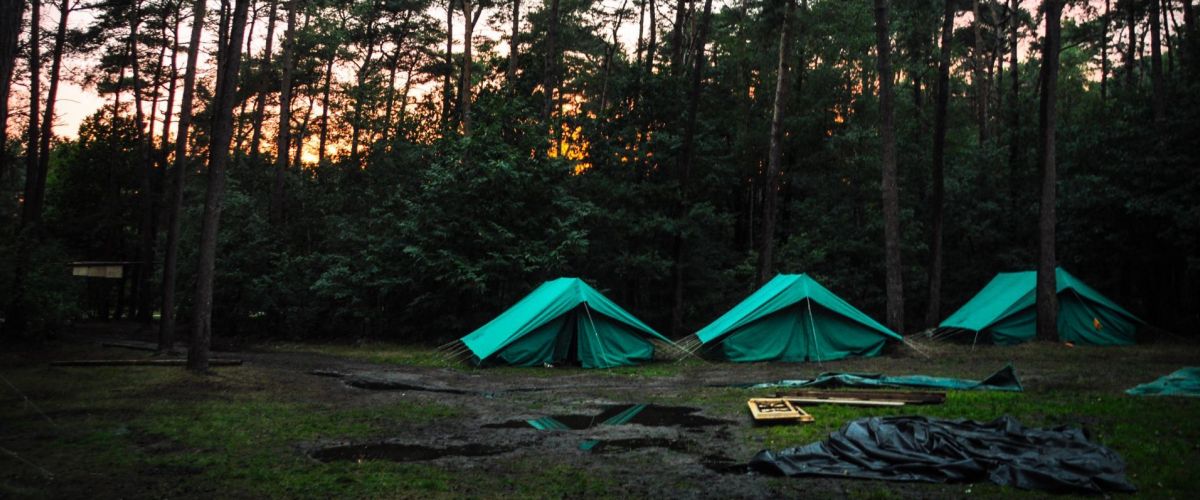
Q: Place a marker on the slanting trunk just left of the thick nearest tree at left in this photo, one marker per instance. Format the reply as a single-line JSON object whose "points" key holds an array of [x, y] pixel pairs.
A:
{"points": [[179, 174]]}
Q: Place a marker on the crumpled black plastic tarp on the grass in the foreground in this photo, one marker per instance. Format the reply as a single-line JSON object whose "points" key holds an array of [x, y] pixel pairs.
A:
{"points": [[933, 450]]}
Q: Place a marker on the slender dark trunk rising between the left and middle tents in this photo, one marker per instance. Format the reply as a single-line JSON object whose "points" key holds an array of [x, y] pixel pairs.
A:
{"points": [[687, 158]]}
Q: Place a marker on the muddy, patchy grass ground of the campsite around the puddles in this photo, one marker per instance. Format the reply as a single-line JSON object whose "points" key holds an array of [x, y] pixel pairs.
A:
{"points": [[146, 432]]}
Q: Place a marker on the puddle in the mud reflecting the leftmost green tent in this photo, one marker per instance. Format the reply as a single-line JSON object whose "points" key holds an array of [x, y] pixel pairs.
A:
{"points": [[650, 415]]}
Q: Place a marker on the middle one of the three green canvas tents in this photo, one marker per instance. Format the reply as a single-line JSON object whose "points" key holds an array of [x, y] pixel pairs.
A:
{"points": [[793, 318]]}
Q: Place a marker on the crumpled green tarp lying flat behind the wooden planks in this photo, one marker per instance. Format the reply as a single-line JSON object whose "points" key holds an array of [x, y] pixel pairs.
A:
{"points": [[1003, 381]]}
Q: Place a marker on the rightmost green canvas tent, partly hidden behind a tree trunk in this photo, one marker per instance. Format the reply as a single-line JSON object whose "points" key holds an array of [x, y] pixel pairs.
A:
{"points": [[1006, 312]]}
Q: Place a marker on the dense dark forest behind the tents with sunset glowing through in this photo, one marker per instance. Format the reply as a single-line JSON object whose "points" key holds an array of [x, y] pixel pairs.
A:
{"points": [[437, 160]]}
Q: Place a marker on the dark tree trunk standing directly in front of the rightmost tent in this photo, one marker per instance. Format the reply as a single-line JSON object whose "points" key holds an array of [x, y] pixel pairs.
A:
{"points": [[1047, 291]]}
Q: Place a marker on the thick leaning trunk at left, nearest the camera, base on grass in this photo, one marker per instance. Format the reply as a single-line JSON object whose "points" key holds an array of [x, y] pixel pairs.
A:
{"points": [[219, 155]]}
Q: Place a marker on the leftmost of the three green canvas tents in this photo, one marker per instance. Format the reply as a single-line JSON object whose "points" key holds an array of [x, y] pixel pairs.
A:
{"points": [[563, 322]]}
